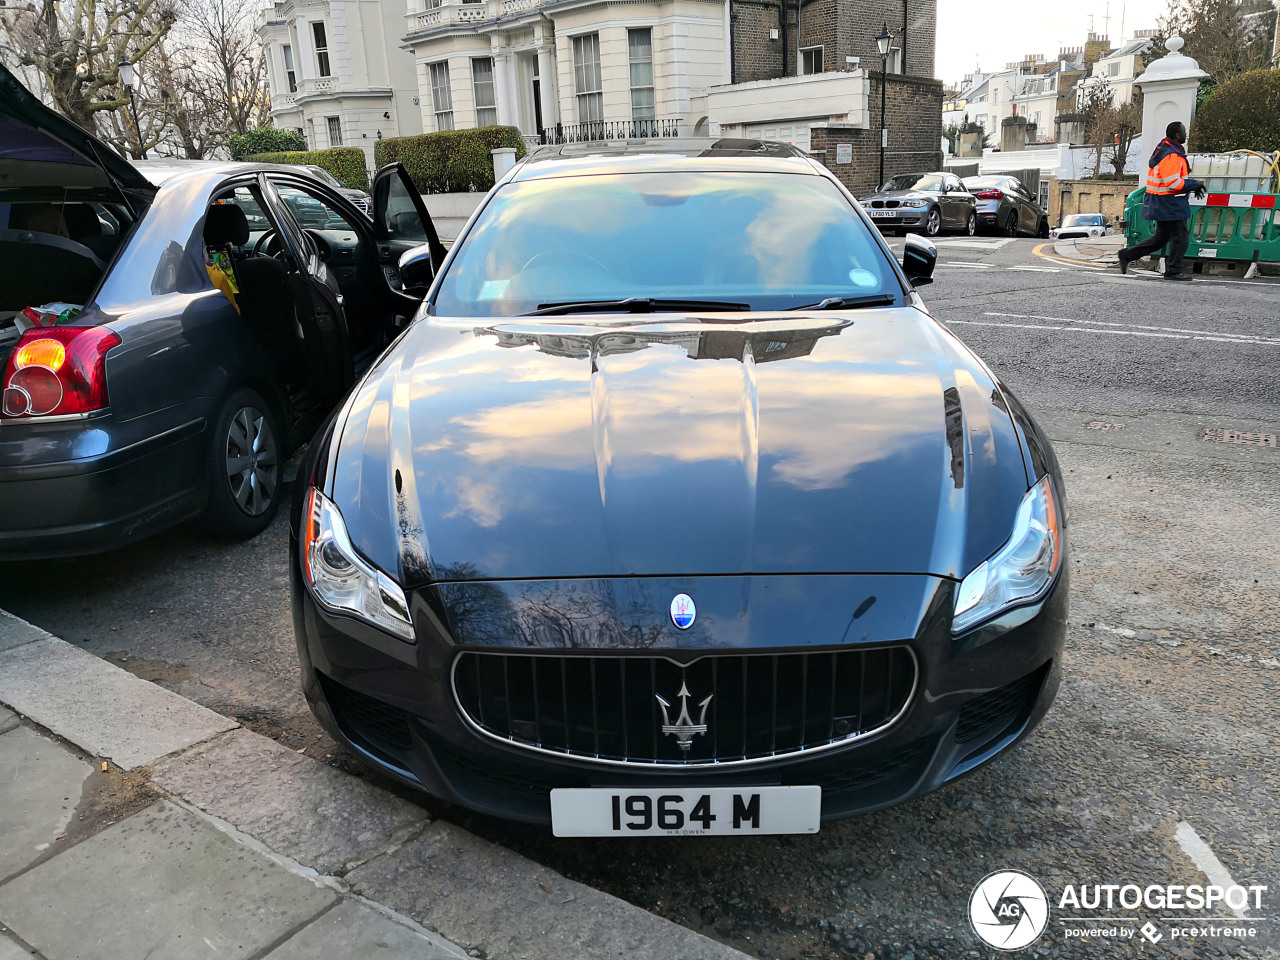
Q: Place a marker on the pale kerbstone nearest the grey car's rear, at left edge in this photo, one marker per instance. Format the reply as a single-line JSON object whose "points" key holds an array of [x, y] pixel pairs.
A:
{"points": [[99, 707]]}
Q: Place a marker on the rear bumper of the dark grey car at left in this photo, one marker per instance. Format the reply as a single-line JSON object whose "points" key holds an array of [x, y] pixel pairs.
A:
{"points": [[80, 487]]}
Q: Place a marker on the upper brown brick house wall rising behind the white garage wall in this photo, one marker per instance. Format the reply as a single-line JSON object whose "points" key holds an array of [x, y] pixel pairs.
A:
{"points": [[840, 28]]}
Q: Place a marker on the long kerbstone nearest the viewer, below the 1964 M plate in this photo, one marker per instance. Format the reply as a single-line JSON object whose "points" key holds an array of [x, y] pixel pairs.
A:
{"points": [[483, 897]]}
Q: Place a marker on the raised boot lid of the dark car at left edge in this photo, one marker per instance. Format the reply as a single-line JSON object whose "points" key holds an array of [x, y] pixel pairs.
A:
{"points": [[43, 149]]}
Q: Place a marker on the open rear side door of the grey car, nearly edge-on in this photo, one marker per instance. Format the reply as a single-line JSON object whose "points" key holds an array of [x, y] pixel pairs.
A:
{"points": [[318, 301]]}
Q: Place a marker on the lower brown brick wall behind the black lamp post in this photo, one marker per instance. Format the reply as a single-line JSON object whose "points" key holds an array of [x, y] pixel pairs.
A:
{"points": [[915, 113]]}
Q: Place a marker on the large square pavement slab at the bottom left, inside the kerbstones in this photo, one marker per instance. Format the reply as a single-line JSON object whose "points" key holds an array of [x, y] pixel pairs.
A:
{"points": [[162, 885]]}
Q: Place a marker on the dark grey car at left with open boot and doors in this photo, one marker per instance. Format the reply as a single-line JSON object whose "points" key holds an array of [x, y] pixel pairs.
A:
{"points": [[164, 344]]}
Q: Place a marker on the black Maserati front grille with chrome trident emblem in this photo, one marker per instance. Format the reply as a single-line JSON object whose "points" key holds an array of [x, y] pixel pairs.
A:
{"points": [[726, 708]]}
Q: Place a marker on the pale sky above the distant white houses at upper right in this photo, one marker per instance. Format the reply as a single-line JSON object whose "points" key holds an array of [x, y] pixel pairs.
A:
{"points": [[994, 33]]}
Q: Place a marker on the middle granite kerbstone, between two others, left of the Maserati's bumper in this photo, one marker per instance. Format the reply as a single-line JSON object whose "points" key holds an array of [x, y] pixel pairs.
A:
{"points": [[299, 807]]}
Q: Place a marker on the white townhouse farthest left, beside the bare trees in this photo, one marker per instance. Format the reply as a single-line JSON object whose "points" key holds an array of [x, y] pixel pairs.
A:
{"points": [[337, 74]]}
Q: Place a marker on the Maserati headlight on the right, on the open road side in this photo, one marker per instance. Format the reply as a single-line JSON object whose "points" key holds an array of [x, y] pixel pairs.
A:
{"points": [[1022, 570]]}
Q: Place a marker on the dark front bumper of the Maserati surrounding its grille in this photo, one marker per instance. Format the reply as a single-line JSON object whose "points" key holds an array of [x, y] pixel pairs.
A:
{"points": [[392, 703]]}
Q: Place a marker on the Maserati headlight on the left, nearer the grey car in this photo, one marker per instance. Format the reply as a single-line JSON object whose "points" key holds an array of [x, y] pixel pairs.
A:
{"points": [[342, 579]]}
